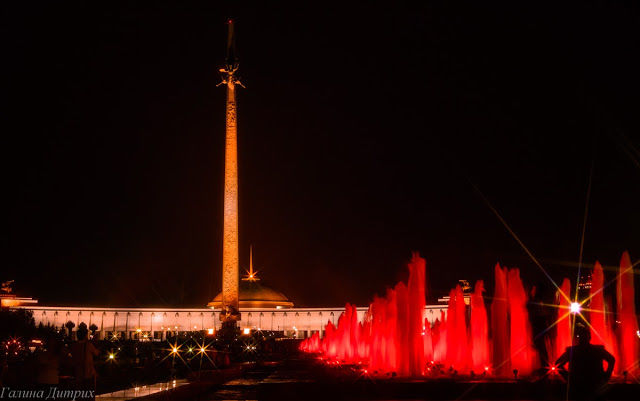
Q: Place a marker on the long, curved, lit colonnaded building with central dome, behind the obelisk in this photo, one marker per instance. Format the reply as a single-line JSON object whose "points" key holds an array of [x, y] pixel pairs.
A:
{"points": [[261, 308]]}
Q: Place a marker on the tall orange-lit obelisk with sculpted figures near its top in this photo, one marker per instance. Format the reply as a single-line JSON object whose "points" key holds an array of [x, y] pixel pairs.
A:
{"points": [[230, 265]]}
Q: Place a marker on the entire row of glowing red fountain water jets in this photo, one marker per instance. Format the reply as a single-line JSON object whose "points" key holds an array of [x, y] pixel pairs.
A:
{"points": [[395, 338]]}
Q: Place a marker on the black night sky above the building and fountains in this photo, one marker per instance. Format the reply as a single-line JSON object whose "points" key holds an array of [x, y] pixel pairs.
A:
{"points": [[363, 131]]}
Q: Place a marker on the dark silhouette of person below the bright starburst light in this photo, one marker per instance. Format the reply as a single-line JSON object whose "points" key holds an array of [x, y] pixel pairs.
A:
{"points": [[587, 379]]}
